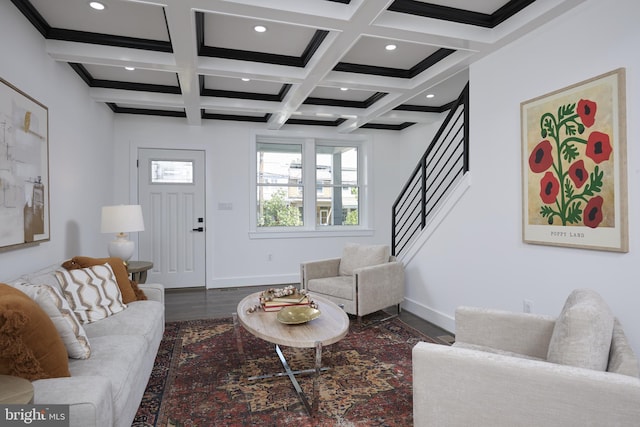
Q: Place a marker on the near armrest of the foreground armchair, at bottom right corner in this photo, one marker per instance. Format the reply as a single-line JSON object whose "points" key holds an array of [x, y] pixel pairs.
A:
{"points": [[455, 386]]}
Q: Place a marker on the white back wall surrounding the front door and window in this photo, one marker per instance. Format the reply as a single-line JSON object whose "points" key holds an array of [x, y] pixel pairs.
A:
{"points": [[233, 258]]}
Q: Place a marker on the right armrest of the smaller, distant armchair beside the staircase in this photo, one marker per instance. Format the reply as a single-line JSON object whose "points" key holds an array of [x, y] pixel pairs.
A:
{"points": [[379, 286]]}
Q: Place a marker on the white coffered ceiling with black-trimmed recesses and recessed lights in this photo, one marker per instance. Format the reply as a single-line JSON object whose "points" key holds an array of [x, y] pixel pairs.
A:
{"points": [[319, 62]]}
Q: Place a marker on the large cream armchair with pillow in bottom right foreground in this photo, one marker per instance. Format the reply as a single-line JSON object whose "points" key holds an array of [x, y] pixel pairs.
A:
{"points": [[500, 371]]}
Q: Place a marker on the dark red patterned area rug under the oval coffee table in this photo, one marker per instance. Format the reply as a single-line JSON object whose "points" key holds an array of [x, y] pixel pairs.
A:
{"points": [[199, 378]]}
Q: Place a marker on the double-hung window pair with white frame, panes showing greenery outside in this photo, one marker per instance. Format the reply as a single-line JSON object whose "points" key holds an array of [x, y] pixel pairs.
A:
{"points": [[309, 186]]}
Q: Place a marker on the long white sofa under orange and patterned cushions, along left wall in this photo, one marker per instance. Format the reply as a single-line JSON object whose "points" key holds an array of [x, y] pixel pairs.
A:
{"points": [[106, 389]]}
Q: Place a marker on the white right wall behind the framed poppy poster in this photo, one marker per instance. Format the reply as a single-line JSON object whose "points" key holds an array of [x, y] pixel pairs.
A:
{"points": [[477, 256]]}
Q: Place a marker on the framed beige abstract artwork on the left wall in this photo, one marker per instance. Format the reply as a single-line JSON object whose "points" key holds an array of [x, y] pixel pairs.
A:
{"points": [[24, 169]]}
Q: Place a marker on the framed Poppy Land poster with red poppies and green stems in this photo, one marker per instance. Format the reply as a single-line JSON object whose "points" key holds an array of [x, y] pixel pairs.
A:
{"points": [[574, 176]]}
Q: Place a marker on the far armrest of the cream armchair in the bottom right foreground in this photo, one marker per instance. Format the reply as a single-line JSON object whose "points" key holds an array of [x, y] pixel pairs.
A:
{"points": [[522, 333]]}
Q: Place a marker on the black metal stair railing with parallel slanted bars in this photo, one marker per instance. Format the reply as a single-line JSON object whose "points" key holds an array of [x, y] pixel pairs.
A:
{"points": [[445, 160]]}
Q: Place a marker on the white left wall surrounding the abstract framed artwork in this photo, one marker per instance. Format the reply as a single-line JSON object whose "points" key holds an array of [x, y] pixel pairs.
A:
{"points": [[80, 147]]}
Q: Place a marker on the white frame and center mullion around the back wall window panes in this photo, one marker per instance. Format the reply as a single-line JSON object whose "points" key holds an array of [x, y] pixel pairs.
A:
{"points": [[310, 228]]}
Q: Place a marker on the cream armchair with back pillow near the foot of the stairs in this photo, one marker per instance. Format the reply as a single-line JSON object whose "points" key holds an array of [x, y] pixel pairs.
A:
{"points": [[364, 280]]}
